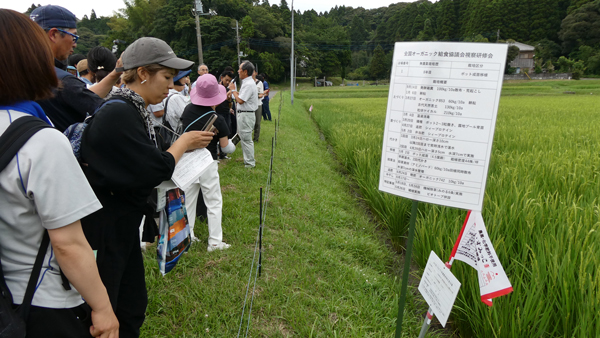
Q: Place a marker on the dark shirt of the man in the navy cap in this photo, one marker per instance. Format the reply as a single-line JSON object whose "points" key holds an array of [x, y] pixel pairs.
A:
{"points": [[71, 103]]}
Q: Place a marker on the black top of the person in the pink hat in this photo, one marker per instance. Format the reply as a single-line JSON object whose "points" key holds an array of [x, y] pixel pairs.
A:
{"points": [[193, 112]]}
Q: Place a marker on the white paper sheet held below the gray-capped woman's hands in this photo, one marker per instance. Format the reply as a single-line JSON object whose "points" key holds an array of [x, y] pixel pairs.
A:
{"points": [[190, 167]]}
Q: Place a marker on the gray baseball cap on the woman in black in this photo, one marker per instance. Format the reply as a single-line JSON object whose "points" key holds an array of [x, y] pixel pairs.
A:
{"points": [[147, 51]]}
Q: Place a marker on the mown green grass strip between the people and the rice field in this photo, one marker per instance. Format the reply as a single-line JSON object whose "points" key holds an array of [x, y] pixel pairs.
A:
{"points": [[326, 269]]}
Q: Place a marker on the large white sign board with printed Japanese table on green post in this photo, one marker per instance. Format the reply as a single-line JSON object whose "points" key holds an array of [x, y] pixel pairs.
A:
{"points": [[440, 121]]}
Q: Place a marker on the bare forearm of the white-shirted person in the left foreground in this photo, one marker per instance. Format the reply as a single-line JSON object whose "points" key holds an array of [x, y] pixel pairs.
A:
{"points": [[76, 260]]}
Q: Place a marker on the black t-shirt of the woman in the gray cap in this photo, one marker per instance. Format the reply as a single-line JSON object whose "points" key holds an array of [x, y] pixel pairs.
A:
{"points": [[120, 156]]}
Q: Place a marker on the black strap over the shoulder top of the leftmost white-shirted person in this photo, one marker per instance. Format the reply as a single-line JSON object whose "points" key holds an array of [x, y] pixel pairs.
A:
{"points": [[16, 135]]}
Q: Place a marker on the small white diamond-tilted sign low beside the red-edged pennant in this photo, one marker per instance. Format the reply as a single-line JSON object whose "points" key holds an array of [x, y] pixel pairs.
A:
{"points": [[439, 287]]}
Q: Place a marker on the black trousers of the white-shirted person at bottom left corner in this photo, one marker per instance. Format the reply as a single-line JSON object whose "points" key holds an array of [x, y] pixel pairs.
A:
{"points": [[58, 323]]}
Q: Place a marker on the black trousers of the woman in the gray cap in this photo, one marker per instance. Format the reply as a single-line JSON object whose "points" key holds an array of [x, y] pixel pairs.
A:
{"points": [[114, 232]]}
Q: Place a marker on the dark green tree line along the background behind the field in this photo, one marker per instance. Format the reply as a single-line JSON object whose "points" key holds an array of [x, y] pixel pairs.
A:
{"points": [[353, 43]]}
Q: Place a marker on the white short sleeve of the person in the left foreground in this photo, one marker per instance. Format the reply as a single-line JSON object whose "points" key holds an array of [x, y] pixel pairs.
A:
{"points": [[54, 181]]}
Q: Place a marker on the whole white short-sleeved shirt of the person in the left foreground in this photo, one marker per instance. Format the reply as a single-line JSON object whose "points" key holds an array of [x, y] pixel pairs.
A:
{"points": [[56, 194]]}
